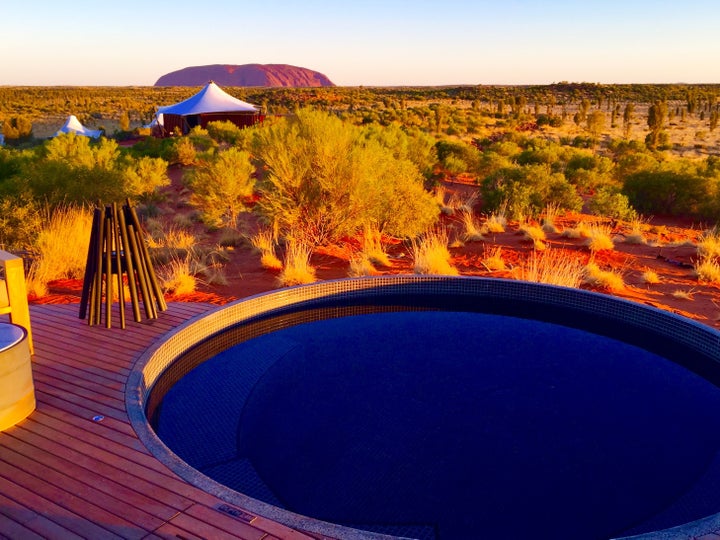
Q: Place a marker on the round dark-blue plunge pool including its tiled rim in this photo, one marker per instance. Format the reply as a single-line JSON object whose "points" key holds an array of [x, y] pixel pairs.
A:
{"points": [[443, 408]]}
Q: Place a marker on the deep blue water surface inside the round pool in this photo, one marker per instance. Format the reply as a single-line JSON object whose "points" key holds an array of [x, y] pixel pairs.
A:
{"points": [[453, 425]]}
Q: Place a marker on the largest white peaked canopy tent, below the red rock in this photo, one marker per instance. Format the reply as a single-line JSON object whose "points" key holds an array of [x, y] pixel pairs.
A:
{"points": [[209, 105]]}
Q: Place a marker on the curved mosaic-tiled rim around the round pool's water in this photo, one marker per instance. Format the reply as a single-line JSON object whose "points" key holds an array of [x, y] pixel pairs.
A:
{"points": [[498, 294]]}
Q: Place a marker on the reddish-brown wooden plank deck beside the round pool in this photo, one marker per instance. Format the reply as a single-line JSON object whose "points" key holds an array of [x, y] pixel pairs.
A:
{"points": [[76, 469]]}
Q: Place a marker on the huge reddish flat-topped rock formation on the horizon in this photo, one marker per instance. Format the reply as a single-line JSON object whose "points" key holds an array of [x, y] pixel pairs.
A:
{"points": [[245, 75]]}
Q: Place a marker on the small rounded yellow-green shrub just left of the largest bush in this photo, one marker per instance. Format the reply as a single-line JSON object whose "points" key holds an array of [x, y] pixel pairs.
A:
{"points": [[221, 186]]}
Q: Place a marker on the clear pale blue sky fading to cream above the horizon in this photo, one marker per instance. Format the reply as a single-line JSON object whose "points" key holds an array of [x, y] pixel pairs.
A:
{"points": [[364, 42]]}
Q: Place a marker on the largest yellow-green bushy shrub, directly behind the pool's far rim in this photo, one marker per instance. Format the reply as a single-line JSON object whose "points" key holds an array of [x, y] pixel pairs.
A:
{"points": [[323, 179]]}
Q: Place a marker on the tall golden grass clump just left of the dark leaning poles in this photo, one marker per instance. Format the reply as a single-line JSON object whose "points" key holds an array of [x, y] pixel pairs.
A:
{"points": [[60, 249]]}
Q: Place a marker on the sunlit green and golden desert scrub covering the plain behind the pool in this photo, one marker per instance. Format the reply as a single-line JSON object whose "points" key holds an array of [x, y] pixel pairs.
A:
{"points": [[330, 161]]}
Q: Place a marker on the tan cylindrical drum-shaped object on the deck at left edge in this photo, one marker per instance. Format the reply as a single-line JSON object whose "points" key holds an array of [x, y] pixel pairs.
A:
{"points": [[17, 392]]}
